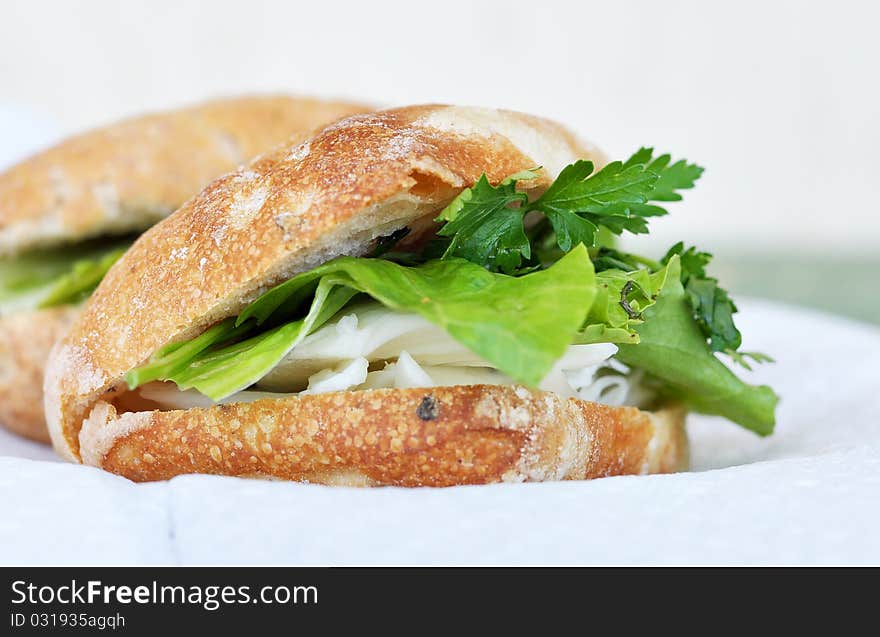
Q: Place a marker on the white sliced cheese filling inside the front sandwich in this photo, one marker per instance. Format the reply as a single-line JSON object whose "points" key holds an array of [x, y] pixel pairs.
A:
{"points": [[372, 347]]}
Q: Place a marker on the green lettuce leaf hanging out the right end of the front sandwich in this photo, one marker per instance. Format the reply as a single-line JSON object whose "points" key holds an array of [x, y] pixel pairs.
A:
{"points": [[673, 349]]}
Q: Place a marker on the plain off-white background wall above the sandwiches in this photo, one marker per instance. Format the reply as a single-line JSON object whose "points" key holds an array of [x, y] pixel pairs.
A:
{"points": [[779, 100]]}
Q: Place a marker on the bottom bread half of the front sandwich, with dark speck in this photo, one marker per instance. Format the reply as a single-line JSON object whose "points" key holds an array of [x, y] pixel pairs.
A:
{"points": [[439, 436]]}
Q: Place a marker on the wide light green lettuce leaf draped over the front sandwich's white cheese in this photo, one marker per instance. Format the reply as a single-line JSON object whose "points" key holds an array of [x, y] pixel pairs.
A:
{"points": [[521, 325]]}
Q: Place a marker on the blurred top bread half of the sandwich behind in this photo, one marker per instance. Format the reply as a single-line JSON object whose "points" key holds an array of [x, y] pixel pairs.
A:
{"points": [[127, 176]]}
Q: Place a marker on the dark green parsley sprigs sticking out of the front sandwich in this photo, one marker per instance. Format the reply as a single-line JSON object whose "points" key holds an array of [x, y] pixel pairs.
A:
{"points": [[485, 224]]}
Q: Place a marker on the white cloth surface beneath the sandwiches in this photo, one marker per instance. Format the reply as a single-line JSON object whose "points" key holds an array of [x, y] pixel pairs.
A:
{"points": [[808, 494]]}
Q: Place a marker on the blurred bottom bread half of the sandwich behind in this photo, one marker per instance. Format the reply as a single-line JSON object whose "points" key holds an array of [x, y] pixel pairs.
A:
{"points": [[25, 341]]}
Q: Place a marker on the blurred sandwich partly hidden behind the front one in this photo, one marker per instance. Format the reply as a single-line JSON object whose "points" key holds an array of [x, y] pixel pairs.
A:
{"points": [[68, 213]]}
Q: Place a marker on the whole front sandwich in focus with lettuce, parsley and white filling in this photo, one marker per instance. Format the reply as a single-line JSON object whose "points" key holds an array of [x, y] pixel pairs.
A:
{"points": [[421, 296]]}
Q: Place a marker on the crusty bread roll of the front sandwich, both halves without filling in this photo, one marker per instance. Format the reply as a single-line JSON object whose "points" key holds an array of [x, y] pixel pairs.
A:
{"points": [[286, 212]]}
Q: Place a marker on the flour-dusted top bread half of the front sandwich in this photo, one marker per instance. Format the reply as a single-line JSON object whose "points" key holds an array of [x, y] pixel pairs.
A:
{"points": [[286, 212]]}
